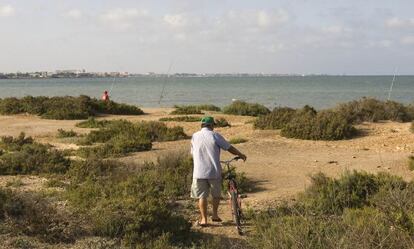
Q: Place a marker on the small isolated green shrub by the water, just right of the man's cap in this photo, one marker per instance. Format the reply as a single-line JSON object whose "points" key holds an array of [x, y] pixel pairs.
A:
{"points": [[245, 109]]}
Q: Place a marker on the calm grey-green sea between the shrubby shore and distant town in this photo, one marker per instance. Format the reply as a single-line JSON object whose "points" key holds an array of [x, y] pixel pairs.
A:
{"points": [[293, 91]]}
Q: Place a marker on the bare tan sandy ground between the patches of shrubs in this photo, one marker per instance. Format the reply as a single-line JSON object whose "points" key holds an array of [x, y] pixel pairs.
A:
{"points": [[281, 167]]}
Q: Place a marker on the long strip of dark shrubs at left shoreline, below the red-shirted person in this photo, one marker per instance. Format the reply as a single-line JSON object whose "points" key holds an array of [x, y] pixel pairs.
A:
{"points": [[66, 107]]}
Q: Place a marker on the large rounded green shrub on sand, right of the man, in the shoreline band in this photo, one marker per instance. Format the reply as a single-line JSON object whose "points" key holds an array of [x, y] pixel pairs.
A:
{"points": [[325, 125]]}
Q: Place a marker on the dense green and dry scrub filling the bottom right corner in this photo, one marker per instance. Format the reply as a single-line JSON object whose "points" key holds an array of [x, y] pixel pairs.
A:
{"points": [[358, 210]]}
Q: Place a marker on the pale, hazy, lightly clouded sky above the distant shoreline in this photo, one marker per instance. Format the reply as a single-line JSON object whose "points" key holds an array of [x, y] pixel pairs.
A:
{"points": [[208, 36]]}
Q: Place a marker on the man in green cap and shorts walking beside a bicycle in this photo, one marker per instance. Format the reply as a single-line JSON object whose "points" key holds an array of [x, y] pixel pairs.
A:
{"points": [[205, 148]]}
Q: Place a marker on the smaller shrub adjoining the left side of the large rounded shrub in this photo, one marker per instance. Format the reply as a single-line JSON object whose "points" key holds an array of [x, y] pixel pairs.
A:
{"points": [[277, 119]]}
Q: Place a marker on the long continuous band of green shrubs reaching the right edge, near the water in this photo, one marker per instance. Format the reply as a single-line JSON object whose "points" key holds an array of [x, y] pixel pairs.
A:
{"points": [[332, 124]]}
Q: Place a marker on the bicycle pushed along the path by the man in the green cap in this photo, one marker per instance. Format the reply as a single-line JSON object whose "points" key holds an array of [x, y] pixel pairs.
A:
{"points": [[232, 191]]}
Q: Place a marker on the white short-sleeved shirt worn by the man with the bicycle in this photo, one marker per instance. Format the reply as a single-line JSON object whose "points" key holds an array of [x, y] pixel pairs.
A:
{"points": [[205, 148]]}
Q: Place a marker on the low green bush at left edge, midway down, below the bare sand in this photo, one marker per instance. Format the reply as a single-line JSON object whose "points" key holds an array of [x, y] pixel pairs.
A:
{"points": [[24, 156]]}
